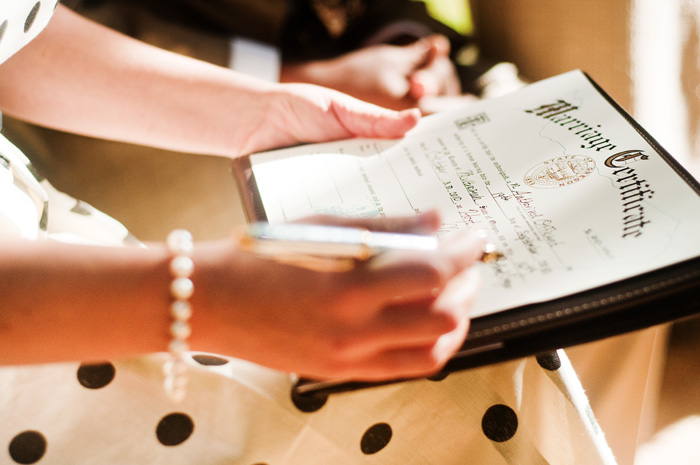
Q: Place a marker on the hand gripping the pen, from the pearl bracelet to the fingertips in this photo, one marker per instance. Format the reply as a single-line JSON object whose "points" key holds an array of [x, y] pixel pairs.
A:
{"points": [[398, 315]]}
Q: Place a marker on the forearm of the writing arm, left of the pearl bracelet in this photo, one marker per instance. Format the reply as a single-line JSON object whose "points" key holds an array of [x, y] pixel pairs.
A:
{"points": [[65, 302]]}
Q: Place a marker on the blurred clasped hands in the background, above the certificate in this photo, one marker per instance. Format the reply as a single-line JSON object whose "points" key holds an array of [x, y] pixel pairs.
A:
{"points": [[396, 77]]}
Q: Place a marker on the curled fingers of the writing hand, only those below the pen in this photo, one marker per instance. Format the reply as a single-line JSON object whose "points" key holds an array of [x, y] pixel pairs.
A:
{"points": [[426, 321]]}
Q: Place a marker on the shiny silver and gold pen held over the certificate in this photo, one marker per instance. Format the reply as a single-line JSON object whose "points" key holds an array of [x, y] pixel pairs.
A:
{"points": [[334, 247]]}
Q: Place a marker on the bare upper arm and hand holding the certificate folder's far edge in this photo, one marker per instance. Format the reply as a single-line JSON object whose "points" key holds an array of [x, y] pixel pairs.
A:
{"points": [[81, 77]]}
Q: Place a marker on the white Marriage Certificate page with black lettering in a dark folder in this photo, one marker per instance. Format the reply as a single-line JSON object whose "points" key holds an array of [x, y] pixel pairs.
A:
{"points": [[567, 189]]}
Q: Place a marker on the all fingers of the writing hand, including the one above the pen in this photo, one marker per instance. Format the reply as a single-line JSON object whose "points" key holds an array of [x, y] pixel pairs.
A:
{"points": [[400, 315]]}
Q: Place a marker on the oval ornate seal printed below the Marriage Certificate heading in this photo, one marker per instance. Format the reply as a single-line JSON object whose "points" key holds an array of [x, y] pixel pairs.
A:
{"points": [[559, 172]]}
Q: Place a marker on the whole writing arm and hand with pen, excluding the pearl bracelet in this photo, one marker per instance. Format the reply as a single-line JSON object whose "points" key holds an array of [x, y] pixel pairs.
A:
{"points": [[403, 314]]}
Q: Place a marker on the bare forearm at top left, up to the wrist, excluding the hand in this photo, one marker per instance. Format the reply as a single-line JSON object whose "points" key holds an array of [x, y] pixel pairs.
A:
{"points": [[119, 88]]}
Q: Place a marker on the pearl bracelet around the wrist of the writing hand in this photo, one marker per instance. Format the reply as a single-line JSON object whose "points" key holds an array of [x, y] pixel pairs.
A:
{"points": [[179, 244]]}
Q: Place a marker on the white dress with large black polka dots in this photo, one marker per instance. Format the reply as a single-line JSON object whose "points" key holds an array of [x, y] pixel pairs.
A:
{"points": [[530, 411]]}
